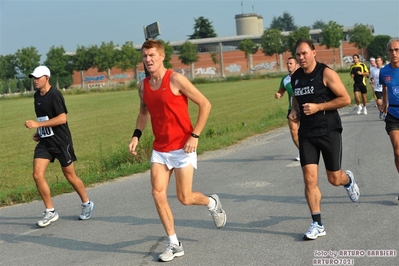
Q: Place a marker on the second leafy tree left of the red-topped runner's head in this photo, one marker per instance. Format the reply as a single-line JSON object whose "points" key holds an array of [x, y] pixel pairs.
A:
{"points": [[105, 59]]}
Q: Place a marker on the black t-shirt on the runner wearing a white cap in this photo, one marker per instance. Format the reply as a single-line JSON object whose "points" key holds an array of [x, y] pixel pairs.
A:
{"points": [[49, 106]]}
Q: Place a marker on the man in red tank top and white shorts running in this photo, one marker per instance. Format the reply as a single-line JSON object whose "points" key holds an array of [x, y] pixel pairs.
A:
{"points": [[164, 96]]}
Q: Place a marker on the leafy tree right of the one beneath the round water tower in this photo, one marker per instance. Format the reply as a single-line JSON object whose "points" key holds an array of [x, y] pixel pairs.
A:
{"points": [[273, 43]]}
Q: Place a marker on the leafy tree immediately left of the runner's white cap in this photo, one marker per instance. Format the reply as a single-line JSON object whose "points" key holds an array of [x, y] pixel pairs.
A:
{"points": [[27, 59]]}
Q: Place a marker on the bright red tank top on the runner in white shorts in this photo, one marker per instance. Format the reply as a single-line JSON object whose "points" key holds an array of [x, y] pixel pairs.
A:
{"points": [[170, 120]]}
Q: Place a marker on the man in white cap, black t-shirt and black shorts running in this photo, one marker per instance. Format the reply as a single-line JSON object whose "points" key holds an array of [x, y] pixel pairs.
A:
{"points": [[54, 142]]}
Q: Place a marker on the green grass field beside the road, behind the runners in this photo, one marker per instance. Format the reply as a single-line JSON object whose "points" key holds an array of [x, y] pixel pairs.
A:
{"points": [[102, 124]]}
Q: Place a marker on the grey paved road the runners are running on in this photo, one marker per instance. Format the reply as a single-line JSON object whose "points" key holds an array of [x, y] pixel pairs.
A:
{"points": [[261, 189]]}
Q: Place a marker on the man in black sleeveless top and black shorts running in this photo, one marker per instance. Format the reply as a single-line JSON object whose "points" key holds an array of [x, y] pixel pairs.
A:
{"points": [[318, 93]]}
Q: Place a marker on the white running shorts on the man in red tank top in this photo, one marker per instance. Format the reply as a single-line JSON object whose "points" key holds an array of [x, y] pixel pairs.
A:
{"points": [[174, 159]]}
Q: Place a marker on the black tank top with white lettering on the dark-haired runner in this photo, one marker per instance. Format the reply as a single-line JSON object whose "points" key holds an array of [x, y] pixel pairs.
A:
{"points": [[310, 88]]}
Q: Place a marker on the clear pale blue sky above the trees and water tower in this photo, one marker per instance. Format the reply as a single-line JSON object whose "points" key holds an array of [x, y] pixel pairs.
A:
{"points": [[72, 23]]}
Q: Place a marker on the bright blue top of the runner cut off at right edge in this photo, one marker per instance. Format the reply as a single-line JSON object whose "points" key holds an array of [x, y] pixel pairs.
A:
{"points": [[389, 77]]}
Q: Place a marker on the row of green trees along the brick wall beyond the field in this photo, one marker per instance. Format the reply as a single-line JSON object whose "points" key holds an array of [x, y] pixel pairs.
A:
{"points": [[16, 67]]}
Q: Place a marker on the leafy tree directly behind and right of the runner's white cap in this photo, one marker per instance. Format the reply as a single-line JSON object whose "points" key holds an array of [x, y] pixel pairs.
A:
{"points": [[59, 64]]}
